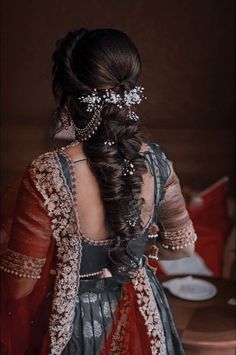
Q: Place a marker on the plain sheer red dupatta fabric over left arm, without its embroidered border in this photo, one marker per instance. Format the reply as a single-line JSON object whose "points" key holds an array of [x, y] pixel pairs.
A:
{"points": [[24, 321]]}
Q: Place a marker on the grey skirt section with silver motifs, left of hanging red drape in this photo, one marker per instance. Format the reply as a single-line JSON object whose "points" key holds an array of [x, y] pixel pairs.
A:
{"points": [[94, 310]]}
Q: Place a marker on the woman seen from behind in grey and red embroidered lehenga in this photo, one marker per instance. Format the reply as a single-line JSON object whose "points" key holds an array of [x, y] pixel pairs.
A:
{"points": [[75, 277]]}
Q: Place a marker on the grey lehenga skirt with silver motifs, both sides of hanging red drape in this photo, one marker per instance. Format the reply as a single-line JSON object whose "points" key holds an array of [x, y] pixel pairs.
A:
{"points": [[95, 306]]}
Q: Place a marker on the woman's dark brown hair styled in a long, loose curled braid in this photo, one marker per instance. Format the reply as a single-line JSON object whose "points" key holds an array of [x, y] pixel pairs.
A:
{"points": [[105, 59]]}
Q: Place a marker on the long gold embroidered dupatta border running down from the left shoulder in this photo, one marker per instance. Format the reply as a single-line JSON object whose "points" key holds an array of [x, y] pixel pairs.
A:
{"points": [[59, 203]]}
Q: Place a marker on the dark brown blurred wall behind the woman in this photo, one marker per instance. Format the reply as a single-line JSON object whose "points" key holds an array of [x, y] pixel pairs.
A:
{"points": [[188, 54]]}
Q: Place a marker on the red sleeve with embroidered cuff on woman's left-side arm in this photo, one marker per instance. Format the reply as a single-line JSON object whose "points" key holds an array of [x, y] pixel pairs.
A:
{"points": [[30, 233]]}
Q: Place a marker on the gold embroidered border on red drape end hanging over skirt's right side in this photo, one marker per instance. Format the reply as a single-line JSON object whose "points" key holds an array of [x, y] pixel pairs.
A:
{"points": [[149, 311]]}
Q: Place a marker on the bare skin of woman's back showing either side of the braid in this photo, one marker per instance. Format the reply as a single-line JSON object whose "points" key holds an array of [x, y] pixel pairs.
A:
{"points": [[87, 196]]}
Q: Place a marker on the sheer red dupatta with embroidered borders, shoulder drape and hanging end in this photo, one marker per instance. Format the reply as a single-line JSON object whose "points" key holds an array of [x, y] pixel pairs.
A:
{"points": [[45, 226]]}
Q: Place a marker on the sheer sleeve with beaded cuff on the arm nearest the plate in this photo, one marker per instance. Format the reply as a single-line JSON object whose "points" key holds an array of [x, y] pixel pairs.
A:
{"points": [[176, 228]]}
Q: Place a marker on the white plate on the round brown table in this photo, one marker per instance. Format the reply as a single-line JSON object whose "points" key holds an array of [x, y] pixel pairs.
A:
{"points": [[191, 289]]}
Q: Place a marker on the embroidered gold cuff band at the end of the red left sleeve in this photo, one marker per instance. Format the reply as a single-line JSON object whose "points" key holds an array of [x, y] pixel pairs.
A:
{"points": [[22, 265]]}
